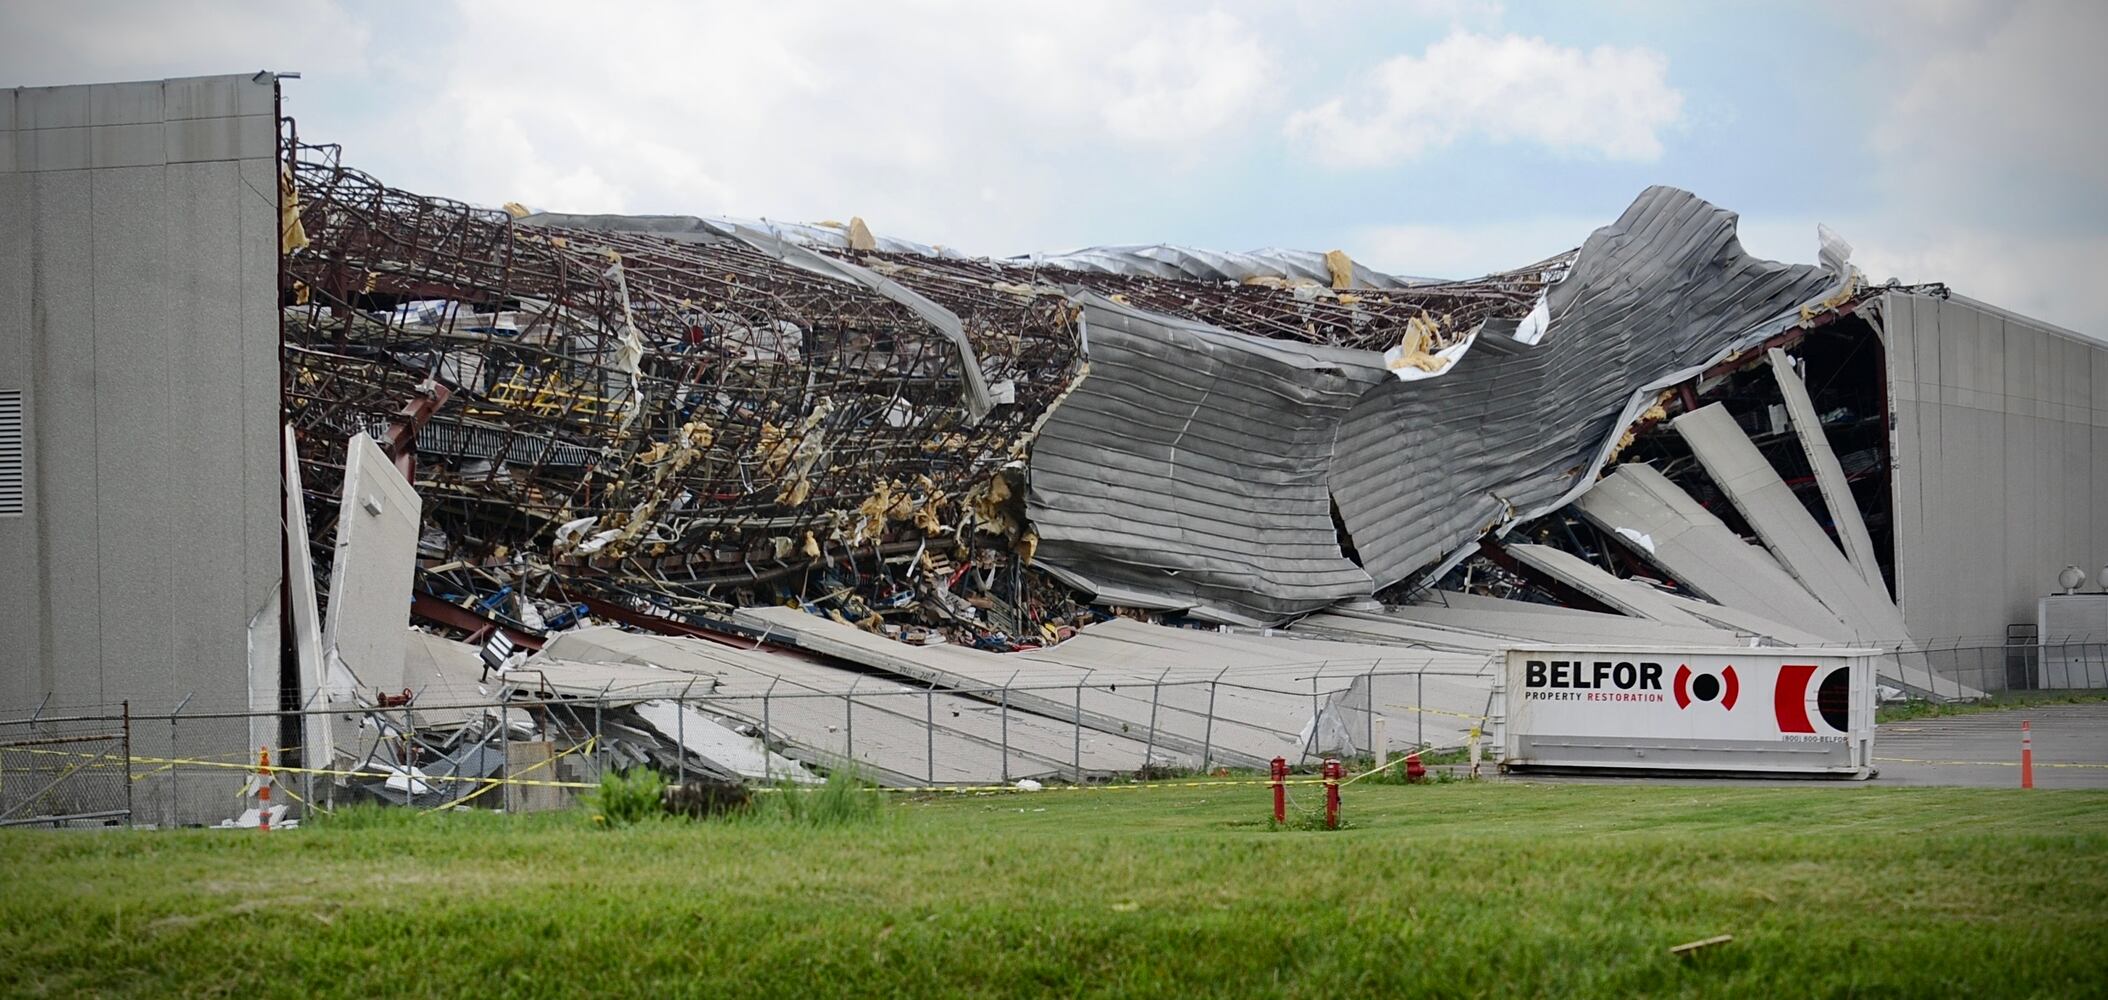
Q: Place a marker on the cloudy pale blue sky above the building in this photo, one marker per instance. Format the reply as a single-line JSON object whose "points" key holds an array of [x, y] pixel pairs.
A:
{"points": [[1947, 140]]}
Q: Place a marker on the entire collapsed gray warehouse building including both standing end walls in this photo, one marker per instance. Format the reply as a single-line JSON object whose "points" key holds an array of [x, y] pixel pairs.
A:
{"points": [[273, 412]]}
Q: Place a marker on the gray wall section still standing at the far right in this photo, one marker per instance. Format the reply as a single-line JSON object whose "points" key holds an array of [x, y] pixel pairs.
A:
{"points": [[2002, 461]]}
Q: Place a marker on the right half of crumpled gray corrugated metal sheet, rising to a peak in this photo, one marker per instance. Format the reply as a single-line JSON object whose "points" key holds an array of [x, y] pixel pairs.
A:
{"points": [[1504, 436]]}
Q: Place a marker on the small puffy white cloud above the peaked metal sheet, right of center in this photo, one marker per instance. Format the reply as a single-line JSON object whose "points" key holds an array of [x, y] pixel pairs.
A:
{"points": [[1603, 102]]}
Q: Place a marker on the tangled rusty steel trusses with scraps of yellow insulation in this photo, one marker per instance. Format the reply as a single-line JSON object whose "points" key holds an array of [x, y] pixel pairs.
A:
{"points": [[705, 417]]}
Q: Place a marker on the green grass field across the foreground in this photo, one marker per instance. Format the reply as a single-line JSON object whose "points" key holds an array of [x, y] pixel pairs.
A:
{"points": [[1451, 889]]}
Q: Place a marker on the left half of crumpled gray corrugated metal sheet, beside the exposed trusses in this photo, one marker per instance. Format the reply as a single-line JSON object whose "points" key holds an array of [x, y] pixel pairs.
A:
{"points": [[1192, 463]]}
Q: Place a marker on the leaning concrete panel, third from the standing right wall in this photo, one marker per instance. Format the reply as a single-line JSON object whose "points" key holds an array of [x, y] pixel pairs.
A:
{"points": [[1700, 552]]}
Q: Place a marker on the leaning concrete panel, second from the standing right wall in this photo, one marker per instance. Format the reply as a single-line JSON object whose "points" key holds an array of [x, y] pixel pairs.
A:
{"points": [[1784, 524]]}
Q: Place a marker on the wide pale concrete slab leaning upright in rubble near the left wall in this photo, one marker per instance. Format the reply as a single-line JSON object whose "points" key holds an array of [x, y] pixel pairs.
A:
{"points": [[376, 558]]}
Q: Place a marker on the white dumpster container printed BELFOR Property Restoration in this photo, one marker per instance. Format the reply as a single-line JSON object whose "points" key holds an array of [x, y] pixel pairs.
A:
{"points": [[1738, 710]]}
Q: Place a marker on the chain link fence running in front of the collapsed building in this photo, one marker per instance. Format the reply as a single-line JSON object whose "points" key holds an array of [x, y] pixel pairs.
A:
{"points": [[532, 748]]}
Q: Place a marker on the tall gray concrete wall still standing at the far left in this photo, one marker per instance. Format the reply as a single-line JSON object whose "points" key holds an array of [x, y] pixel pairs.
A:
{"points": [[138, 313]]}
